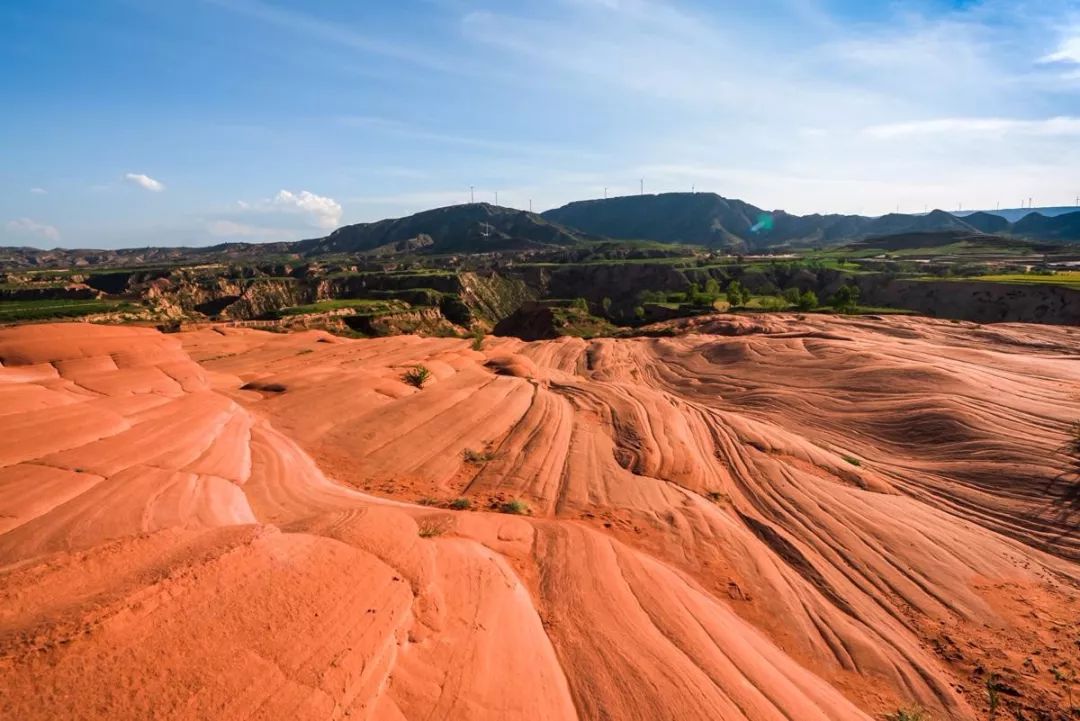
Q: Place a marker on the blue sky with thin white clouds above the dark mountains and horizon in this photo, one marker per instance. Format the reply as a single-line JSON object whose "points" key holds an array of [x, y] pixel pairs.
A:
{"points": [[152, 123]]}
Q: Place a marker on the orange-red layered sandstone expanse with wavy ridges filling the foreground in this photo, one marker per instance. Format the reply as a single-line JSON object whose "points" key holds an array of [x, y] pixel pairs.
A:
{"points": [[789, 519]]}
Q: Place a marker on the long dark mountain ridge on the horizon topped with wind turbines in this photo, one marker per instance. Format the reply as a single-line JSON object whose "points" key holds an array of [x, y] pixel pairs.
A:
{"points": [[706, 220]]}
